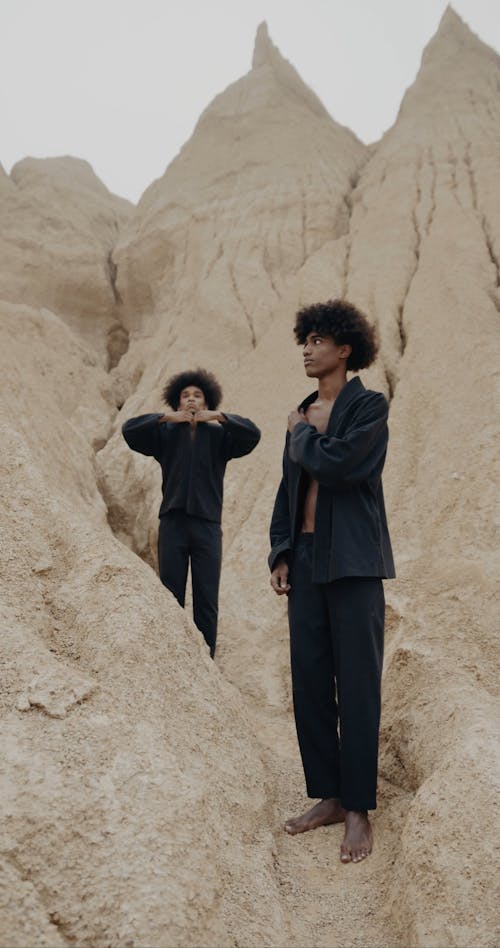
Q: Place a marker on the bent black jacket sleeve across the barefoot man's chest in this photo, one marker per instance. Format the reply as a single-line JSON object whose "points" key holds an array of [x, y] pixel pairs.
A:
{"points": [[344, 462]]}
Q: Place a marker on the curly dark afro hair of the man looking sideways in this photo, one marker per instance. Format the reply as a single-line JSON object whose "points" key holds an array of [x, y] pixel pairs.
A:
{"points": [[346, 324]]}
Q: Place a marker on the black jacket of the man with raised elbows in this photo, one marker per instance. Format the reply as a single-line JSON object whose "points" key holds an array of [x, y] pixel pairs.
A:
{"points": [[193, 469]]}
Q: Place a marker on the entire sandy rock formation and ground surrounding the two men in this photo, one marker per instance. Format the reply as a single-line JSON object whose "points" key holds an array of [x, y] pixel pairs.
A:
{"points": [[143, 787]]}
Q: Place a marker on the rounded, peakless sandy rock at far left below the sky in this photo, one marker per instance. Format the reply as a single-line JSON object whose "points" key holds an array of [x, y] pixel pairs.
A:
{"points": [[59, 227]]}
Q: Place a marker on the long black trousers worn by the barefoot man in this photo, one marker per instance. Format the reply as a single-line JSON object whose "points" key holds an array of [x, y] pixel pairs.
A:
{"points": [[336, 643]]}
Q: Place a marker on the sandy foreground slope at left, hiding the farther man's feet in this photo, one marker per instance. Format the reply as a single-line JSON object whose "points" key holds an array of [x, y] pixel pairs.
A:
{"points": [[127, 763]]}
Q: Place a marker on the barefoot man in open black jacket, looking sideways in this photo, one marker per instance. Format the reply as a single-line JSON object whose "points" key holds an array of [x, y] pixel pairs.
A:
{"points": [[330, 549]]}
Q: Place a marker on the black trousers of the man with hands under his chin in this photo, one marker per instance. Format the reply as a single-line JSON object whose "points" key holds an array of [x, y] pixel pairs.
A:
{"points": [[181, 538]]}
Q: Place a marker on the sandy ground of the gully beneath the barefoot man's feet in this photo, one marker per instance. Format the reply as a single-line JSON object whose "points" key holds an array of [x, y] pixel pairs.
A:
{"points": [[325, 903]]}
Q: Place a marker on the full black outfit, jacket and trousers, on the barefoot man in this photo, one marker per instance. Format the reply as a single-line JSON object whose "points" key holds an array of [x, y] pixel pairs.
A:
{"points": [[336, 601]]}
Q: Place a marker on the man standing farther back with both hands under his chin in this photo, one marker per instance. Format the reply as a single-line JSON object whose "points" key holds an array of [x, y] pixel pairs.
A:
{"points": [[192, 441]]}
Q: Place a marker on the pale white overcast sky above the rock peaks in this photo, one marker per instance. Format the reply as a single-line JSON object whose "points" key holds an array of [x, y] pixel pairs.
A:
{"points": [[122, 83]]}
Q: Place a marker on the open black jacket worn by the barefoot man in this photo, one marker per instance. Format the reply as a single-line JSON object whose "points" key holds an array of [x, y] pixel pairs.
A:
{"points": [[350, 532]]}
